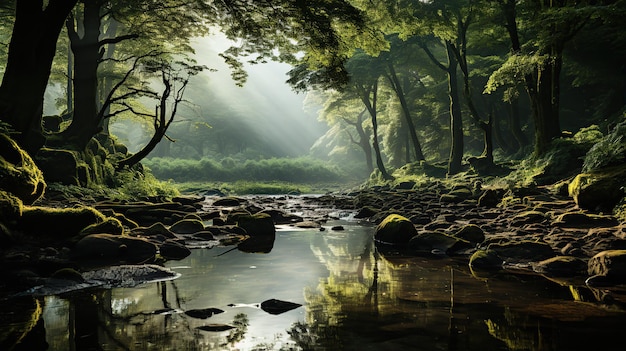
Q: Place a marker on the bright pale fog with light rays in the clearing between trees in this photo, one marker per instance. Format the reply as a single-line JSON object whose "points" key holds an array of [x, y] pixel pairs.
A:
{"points": [[270, 113]]}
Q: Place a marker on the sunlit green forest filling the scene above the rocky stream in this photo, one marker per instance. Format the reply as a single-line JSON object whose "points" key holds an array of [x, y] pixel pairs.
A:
{"points": [[441, 83]]}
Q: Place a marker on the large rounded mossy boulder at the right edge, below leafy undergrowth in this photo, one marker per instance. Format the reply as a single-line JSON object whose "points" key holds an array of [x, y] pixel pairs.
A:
{"points": [[599, 190]]}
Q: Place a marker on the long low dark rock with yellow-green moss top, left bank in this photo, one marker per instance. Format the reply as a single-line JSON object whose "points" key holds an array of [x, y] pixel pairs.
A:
{"points": [[58, 222]]}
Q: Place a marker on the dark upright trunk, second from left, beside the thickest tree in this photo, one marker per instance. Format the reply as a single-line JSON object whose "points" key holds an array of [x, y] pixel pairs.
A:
{"points": [[85, 123]]}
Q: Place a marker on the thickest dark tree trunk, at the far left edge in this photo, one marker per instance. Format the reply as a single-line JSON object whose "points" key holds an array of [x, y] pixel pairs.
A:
{"points": [[31, 51]]}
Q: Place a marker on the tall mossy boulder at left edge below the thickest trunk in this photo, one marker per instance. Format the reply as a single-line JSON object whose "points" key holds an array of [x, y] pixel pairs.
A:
{"points": [[19, 175]]}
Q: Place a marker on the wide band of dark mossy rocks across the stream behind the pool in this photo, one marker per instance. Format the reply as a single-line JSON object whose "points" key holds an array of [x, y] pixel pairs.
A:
{"points": [[530, 231]]}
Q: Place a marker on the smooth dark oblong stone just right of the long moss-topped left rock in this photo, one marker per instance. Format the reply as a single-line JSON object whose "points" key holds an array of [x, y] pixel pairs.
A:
{"points": [[114, 248]]}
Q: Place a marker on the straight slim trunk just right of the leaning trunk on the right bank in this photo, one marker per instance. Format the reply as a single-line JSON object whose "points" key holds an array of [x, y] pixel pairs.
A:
{"points": [[456, 119]]}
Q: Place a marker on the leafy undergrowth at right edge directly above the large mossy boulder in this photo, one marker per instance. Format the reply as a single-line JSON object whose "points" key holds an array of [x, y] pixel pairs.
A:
{"points": [[608, 151]]}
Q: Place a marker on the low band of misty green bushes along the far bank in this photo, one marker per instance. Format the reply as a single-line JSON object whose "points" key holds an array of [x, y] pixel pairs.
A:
{"points": [[296, 170]]}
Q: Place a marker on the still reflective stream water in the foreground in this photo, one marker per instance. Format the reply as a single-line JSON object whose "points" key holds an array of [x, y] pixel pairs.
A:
{"points": [[349, 296]]}
